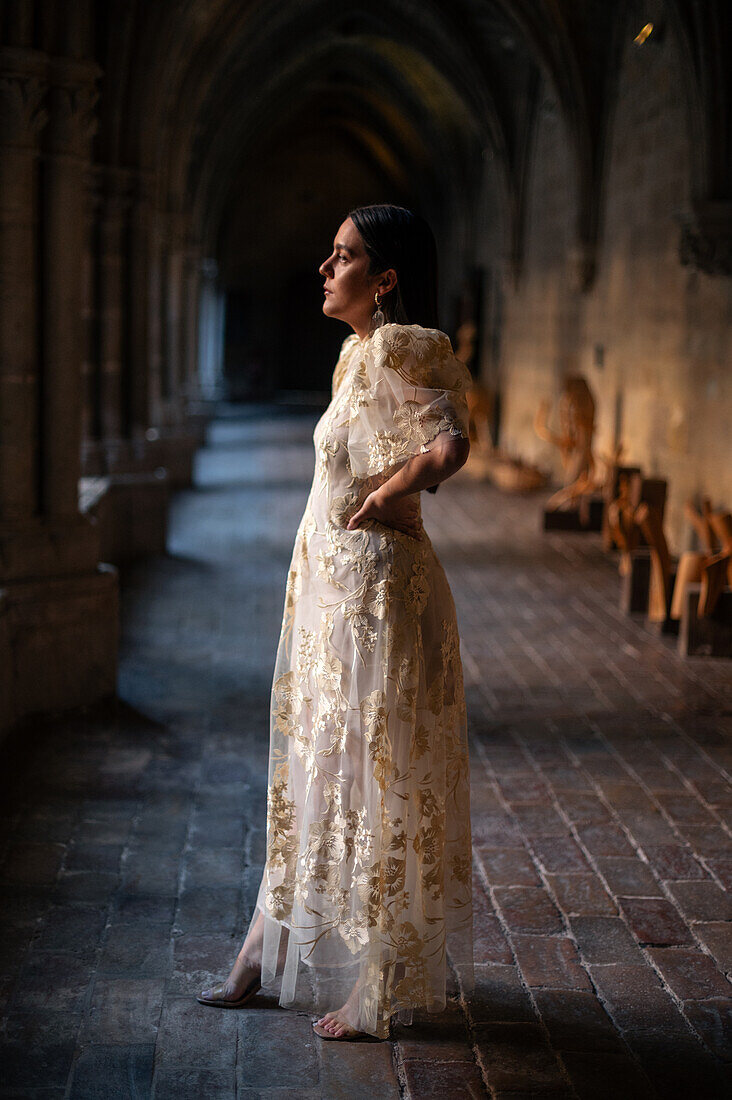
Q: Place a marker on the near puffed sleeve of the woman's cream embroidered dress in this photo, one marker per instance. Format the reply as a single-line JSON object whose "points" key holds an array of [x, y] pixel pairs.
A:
{"points": [[407, 390]]}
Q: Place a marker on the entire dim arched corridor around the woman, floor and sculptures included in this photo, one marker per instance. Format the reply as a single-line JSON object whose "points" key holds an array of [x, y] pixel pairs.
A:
{"points": [[172, 175]]}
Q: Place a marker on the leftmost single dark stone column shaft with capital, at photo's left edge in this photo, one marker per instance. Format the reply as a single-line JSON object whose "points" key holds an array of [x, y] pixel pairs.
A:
{"points": [[23, 116]]}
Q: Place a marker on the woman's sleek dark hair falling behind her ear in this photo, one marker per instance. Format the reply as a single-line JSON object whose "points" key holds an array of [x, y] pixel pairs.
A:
{"points": [[395, 237]]}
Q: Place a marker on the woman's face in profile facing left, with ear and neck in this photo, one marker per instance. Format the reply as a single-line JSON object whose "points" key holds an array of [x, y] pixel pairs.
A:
{"points": [[349, 291]]}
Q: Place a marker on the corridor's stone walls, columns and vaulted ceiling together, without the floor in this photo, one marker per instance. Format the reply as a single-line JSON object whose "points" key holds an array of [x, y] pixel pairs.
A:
{"points": [[173, 175]]}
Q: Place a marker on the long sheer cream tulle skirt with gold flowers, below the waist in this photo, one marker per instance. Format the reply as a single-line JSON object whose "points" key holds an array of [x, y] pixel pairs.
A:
{"points": [[367, 886]]}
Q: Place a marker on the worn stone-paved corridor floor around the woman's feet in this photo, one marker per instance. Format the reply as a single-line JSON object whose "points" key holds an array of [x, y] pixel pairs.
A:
{"points": [[133, 834]]}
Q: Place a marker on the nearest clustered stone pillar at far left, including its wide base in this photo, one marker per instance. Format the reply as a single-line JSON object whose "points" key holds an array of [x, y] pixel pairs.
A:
{"points": [[59, 608]]}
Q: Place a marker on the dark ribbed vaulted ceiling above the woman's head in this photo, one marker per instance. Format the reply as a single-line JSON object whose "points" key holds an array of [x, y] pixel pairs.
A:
{"points": [[292, 105]]}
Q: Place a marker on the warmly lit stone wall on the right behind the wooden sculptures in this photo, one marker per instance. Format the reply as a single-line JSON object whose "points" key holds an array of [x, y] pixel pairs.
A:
{"points": [[653, 338]]}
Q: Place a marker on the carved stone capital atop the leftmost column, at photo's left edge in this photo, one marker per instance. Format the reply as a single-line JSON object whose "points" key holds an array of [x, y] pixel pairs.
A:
{"points": [[24, 111]]}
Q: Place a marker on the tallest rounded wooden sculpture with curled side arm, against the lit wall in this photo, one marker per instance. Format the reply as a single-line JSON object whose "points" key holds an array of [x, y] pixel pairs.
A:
{"points": [[574, 441]]}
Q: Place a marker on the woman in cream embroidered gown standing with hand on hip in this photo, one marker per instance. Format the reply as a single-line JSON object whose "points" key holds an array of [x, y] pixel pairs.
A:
{"points": [[368, 875]]}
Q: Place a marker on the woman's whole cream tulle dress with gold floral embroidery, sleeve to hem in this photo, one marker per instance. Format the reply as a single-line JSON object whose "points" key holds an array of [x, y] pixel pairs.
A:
{"points": [[368, 843]]}
